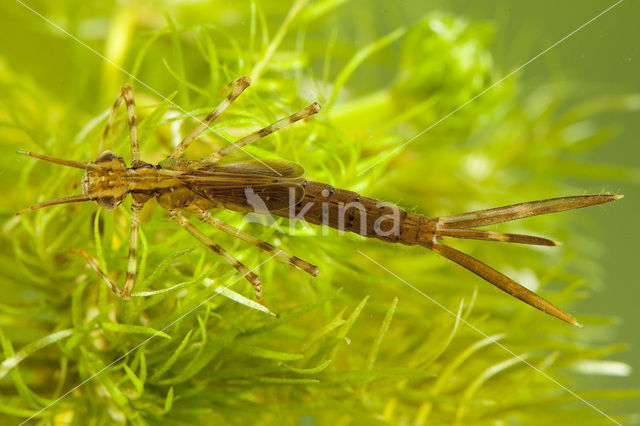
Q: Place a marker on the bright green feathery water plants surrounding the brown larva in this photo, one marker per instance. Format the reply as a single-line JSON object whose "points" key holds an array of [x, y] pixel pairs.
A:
{"points": [[355, 343]]}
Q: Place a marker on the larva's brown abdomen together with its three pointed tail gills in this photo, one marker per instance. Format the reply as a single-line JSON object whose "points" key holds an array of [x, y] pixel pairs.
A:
{"points": [[349, 211]]}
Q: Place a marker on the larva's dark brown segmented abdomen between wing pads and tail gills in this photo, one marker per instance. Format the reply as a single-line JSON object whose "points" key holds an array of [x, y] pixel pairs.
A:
{"points": [[349, 211]]}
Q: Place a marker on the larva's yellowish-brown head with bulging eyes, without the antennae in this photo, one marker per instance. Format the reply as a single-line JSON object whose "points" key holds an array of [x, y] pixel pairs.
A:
{"points": [[105, 181]]}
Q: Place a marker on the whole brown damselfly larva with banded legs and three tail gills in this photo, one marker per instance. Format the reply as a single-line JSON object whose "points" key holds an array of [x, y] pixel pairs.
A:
{"points": [[279, 188]]}
